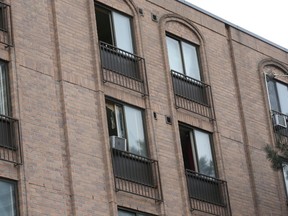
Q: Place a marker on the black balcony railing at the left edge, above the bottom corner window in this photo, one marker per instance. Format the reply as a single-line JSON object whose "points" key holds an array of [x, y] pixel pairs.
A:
{"points": [[10, 148]]}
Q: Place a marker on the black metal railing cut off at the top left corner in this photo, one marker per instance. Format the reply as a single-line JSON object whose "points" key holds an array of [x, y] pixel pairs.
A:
{"points": [[5, 24]]}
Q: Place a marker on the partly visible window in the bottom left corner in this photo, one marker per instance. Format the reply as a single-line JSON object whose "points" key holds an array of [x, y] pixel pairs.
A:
{"points": [[8, 198]]}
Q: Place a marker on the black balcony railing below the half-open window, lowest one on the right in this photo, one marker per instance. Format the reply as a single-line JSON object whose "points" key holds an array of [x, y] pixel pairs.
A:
{"points": [[208, 194]]}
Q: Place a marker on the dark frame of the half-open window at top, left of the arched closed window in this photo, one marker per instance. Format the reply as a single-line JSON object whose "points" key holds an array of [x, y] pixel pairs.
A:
{"points": [[102, 7]]}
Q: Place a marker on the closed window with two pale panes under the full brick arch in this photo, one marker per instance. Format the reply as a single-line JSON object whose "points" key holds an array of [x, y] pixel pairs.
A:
{"points": [[183, 58]]}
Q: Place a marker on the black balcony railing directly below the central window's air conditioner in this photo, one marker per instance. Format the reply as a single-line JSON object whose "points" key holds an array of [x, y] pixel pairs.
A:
{"points": [[136, 174]]}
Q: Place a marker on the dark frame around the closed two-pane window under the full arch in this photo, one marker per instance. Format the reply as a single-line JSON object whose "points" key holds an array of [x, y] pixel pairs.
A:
{"points": [[197, 49]]}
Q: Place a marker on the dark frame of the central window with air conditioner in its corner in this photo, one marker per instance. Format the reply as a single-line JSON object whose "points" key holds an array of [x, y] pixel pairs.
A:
{"points": [[122, 104]]}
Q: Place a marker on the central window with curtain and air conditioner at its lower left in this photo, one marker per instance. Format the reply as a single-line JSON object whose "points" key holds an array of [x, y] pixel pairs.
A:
{"points": [[125, 121]]}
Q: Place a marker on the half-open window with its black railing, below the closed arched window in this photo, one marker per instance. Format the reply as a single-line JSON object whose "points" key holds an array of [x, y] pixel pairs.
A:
{"points": [[206, 192]]}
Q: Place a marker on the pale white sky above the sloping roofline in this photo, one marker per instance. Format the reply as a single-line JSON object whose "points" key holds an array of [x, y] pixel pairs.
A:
{"points": [[266, 18]]}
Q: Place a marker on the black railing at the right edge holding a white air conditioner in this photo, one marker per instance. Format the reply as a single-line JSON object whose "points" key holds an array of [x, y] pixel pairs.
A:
{"points": [[279, 121]]}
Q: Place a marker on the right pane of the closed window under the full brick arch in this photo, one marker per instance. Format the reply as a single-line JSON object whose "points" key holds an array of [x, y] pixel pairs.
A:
{"points": [[191, 61]]}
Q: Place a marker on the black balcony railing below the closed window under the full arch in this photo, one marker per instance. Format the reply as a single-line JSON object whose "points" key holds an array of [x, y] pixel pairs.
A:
{"points": [[192, 94]]}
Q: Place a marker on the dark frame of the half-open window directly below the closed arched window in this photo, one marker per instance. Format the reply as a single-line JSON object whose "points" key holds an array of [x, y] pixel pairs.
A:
{"points": [[194, 150]]}
